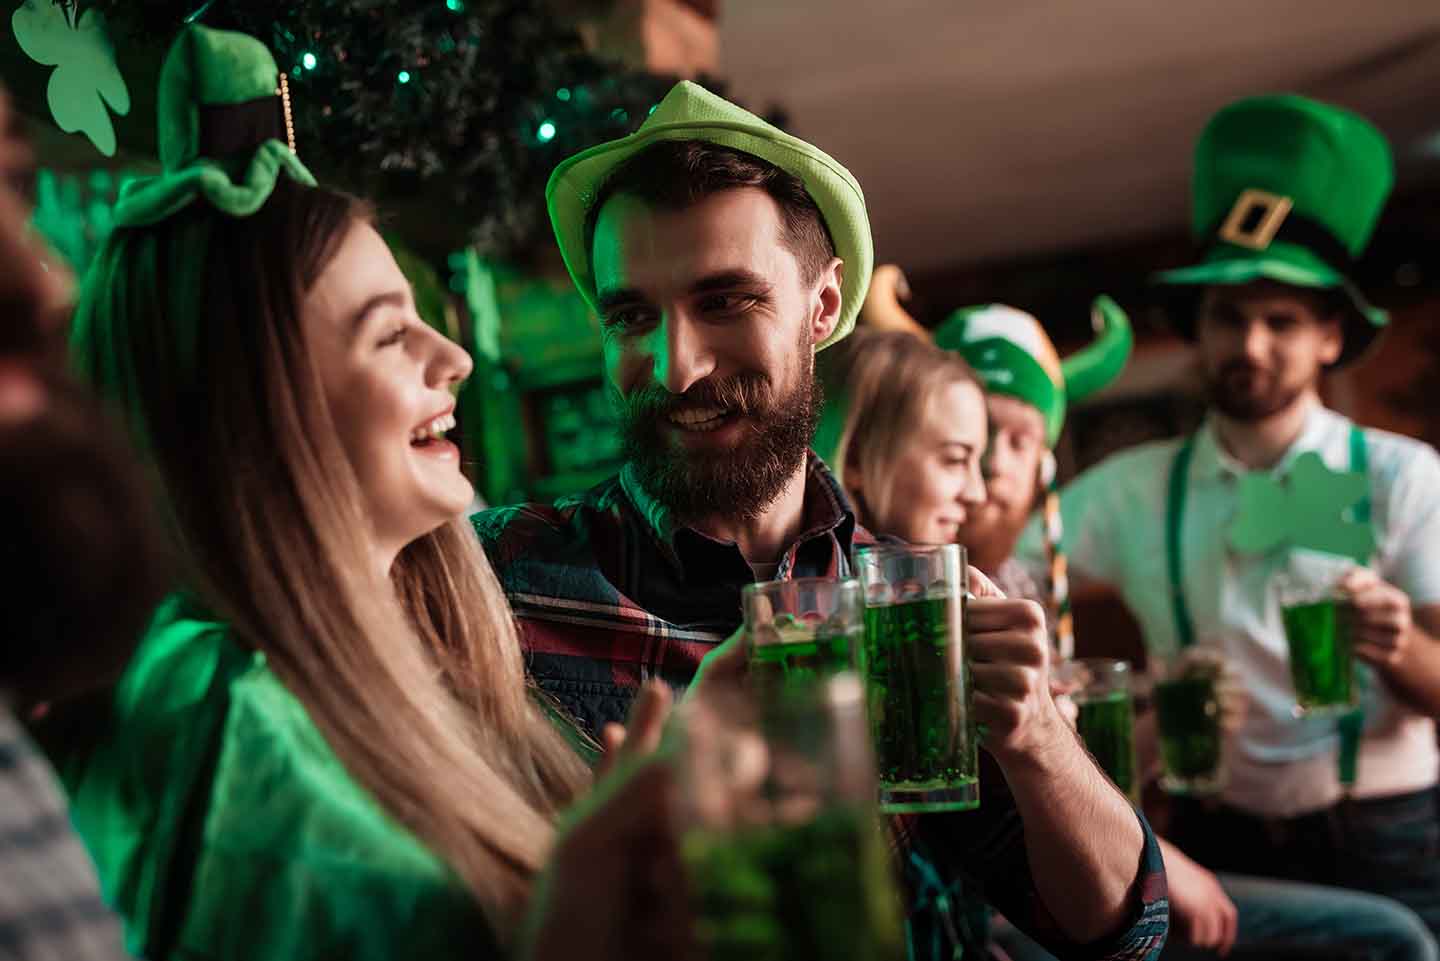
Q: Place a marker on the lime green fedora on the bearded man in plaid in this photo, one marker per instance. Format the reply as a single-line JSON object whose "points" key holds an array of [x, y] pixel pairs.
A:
{"points": [[693, 113]]}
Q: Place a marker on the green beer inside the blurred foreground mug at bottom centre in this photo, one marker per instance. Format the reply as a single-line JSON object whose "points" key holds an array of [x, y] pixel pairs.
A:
{"points": [[822, 890]]}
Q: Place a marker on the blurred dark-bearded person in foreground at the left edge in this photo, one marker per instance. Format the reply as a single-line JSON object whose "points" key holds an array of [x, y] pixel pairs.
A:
{"points": [[83, 570]]}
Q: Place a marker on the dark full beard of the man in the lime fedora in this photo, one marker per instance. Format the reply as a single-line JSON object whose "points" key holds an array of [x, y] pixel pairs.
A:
{"points": [[739, 482]]}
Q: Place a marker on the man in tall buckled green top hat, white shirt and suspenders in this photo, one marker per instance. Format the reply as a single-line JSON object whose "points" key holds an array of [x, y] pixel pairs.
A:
{"points": [[1199, 532]]}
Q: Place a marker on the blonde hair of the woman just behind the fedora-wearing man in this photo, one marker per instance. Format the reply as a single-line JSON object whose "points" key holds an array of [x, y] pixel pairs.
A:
{"points": [[882, 385]]}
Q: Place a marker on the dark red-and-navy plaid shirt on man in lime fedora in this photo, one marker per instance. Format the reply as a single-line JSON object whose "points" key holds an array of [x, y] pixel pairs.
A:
{"points": [[610, 593]]}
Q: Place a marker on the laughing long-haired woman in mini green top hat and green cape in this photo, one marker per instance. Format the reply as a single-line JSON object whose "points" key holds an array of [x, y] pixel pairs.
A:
{"points": [[319, 751]]}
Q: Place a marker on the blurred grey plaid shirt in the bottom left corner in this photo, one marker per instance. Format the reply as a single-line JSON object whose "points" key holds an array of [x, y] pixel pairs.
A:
{"points": [[51, 908]]}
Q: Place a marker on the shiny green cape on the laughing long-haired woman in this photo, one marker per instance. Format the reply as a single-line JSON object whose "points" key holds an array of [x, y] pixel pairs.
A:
{"points": [[225, 828]]}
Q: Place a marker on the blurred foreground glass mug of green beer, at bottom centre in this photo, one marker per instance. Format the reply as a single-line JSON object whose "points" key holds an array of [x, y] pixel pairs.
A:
{"points": [[784, 849]]}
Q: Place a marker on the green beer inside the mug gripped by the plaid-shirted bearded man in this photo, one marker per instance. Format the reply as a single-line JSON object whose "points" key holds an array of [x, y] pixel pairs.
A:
{"points": [[924, 740]]}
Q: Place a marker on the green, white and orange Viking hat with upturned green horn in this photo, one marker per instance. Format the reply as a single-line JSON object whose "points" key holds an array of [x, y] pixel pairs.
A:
{"points": [[1013, 355]]}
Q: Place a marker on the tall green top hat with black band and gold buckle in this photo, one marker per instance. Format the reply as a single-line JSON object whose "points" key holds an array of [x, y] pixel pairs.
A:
{"points": [[1288, 189]]}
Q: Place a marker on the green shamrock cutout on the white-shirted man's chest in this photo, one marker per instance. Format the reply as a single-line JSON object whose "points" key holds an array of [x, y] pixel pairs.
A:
{"points": [[1304, 509]]}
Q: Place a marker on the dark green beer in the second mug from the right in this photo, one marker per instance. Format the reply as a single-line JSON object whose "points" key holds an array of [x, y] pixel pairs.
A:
{"points": [[1189, 714]]}
